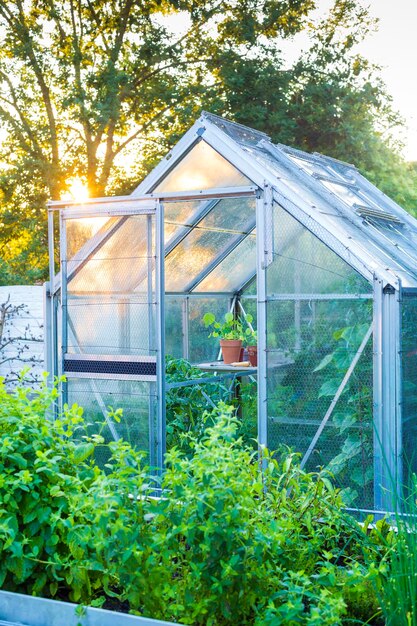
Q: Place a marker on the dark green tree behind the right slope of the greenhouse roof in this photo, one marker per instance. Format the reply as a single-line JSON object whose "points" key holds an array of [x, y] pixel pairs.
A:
{"points": [[331, 101]]}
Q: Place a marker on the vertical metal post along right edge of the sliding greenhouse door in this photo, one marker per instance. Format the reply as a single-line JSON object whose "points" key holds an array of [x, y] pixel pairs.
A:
{"points": [[160, 337]]}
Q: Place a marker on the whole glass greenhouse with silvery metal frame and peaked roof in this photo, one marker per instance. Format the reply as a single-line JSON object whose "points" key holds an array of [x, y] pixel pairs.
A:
{"points": [[299, 245]]}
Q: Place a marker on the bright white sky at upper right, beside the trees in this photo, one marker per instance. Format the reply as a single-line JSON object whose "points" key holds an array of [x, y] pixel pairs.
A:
{"points": [[394, 48]]}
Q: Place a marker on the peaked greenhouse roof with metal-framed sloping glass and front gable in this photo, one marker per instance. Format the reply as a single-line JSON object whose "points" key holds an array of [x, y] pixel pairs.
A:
{"points": [[328, 196]]}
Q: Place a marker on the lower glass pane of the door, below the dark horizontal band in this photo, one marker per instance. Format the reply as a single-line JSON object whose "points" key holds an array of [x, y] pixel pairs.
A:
{"points": [[137, 399]]}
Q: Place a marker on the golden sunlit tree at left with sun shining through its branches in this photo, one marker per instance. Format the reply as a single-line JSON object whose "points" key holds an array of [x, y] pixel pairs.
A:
{"points": [[82, 80]]}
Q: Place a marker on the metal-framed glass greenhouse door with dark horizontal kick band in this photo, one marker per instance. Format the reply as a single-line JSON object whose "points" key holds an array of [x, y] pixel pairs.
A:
{"points": [[112, 346]]}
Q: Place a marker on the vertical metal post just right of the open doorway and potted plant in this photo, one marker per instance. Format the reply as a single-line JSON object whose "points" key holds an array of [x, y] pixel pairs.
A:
{"points": [[264, 255]]}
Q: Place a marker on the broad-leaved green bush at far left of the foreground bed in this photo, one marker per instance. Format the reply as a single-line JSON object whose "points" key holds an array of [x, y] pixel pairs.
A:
{"points": [[41, 469]]}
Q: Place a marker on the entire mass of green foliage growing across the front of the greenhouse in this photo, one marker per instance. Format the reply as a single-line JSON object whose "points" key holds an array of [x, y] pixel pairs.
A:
{"points": [[226, 544]]}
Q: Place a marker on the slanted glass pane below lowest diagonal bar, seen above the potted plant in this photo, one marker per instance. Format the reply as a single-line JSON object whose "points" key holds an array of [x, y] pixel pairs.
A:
{"points": [[236, 269]]}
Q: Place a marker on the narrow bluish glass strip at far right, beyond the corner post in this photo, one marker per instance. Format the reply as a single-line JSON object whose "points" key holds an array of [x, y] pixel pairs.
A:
{"points": [[409, 385]]}
